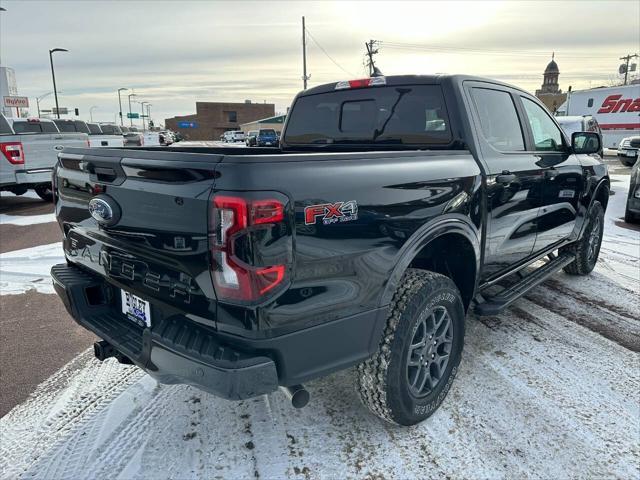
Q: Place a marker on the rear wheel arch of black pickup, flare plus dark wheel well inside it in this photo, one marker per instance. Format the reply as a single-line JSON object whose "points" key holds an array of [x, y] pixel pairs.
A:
{"points": [[425, 249]]}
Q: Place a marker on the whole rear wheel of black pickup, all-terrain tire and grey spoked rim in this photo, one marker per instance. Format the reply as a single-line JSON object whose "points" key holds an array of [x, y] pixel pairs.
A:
{"points": [[407, 379]]}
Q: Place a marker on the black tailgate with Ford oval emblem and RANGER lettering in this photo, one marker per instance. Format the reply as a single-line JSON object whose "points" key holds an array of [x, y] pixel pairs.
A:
{"points": [[147, 234]]}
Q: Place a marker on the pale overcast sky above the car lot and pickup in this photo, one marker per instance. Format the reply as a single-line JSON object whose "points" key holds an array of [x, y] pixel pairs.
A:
{"points": [[176, 52]]}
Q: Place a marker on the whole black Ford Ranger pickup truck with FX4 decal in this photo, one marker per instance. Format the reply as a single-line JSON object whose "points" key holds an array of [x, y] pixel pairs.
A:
{"points": [[393, 205]]}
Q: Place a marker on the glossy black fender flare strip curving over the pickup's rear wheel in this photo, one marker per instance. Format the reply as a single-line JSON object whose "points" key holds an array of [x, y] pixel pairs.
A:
{"points": [[454, 223]]}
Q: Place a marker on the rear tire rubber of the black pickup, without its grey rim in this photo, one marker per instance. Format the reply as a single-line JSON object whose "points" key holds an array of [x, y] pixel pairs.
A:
{"points": [[382, 380]]}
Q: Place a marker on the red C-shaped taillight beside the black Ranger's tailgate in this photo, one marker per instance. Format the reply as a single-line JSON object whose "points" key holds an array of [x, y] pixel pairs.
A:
{"points": [[231, 218]]}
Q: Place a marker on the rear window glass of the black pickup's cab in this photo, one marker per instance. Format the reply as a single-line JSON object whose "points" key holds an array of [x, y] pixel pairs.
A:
{"points": [[407, 114]]}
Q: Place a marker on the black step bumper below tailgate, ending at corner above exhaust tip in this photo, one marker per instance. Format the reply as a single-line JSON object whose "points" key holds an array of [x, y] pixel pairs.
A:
{"points": [[170, 353]]}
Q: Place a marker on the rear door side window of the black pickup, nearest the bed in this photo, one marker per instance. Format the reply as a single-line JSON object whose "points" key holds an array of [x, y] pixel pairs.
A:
{"points": [[498, 119]]}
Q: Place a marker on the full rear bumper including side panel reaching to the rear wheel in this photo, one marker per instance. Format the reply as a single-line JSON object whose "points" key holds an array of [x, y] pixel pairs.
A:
{"points": [[179, 350]]}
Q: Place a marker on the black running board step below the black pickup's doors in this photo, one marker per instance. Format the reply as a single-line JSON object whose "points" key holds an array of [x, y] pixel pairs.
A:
{"points": [[495, 305]]}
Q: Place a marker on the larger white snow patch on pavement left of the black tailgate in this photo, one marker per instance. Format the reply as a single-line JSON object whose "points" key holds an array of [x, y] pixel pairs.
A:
{"points": [[29, 269]]}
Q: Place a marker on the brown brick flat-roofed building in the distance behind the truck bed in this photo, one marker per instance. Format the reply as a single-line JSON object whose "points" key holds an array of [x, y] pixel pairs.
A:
{"points": [[212, 119]]}
